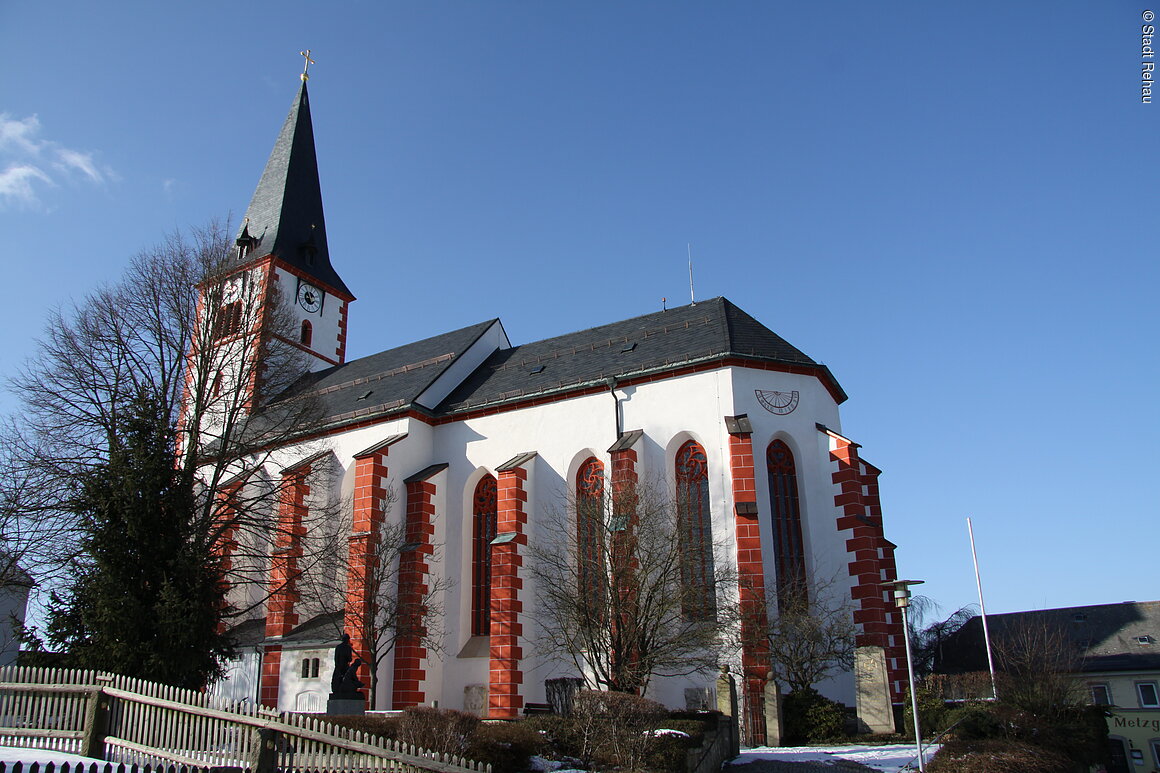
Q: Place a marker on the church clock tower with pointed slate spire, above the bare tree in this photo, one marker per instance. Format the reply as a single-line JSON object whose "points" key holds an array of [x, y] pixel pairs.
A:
{"points": [[282, 259]]}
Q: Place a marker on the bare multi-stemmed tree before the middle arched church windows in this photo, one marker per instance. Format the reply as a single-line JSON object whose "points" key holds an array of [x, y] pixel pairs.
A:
{"points": [[613, 584]]}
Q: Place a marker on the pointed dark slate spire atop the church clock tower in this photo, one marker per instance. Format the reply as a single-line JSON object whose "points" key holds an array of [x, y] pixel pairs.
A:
{"points": [[286, 214]]}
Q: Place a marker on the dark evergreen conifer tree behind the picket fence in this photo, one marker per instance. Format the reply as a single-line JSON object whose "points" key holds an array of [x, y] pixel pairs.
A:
{"points": [[146, 597]]}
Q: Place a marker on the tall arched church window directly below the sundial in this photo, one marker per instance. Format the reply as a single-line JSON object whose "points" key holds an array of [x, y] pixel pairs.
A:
{"points": [[789, 553]]}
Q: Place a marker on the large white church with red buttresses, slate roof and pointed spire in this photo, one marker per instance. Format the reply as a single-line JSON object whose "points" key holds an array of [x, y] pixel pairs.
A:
{"points": [[480, 438]]}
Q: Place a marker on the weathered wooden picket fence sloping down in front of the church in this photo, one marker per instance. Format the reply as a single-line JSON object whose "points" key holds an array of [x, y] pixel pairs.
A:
{"points": [[144, 724]]}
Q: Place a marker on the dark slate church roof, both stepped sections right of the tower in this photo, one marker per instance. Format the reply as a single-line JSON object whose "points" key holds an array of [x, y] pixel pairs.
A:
{"points": [[391, 381]]}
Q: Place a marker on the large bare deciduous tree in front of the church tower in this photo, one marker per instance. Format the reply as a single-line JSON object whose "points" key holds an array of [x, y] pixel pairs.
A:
{"points": [[193, 329]]}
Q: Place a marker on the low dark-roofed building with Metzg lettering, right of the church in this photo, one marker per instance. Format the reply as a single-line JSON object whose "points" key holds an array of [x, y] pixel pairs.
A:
{"points": [[1116, 658]]}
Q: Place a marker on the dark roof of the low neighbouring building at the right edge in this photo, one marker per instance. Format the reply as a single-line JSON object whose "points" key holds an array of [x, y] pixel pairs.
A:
{"points": [[1105, 638]]}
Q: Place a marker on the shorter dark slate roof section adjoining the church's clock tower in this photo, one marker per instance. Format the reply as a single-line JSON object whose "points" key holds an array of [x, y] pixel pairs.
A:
{"points": [[388, 381]]}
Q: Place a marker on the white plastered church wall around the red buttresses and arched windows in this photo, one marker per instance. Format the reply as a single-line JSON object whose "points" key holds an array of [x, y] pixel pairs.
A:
{"points": [[564, 434]]}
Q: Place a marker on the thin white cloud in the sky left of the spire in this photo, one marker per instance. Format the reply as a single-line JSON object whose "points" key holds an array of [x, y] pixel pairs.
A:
{"points": [[34, 163]]}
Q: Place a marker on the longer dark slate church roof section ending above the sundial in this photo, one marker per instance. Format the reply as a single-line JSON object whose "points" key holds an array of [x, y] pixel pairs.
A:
{"points": [[664, 341]]}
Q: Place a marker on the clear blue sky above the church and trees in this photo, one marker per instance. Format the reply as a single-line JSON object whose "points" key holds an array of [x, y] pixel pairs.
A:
{"points": [[954, 206]]}
